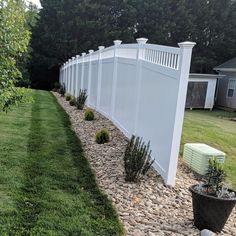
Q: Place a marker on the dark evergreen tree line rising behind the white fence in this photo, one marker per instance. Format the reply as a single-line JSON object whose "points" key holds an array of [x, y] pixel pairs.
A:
{"points": [[70, 27]]}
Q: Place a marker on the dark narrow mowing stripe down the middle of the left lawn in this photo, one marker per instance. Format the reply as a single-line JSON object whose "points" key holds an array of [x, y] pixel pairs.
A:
{"points": [[29, 206]]}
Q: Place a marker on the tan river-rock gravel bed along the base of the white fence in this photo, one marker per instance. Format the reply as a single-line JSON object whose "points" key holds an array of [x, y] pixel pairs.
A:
{"points": [[145, 208]]}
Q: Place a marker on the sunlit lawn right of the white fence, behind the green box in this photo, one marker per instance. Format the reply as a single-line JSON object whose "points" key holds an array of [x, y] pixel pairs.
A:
{"points": [[215, 129]]}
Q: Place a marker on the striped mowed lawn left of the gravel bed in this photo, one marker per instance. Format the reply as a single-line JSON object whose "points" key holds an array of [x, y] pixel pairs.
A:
{"points": [[46, 184]]}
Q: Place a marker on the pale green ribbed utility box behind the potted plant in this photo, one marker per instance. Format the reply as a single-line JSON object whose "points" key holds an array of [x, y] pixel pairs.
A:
{"points": [[197, 155]]}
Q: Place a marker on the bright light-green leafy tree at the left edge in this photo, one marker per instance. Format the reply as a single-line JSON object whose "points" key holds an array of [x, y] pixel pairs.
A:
{"points": [[14, 38]]}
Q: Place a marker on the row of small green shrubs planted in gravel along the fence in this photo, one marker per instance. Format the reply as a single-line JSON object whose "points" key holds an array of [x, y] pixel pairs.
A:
{"points": [[137, 157]]}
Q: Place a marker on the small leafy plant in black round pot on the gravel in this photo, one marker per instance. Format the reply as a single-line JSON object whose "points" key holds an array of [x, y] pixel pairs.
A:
{"points": [[212, 201]]}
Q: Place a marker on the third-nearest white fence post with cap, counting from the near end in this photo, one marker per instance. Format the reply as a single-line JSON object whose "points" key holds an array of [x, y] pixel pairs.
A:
{"points": [[114, 80]]}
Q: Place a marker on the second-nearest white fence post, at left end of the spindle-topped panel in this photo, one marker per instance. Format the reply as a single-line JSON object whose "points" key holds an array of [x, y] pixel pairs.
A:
{"points": [[140, 55]]}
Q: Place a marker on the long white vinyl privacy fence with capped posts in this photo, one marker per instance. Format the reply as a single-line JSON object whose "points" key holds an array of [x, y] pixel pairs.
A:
{"points": [[141, 88]]}
